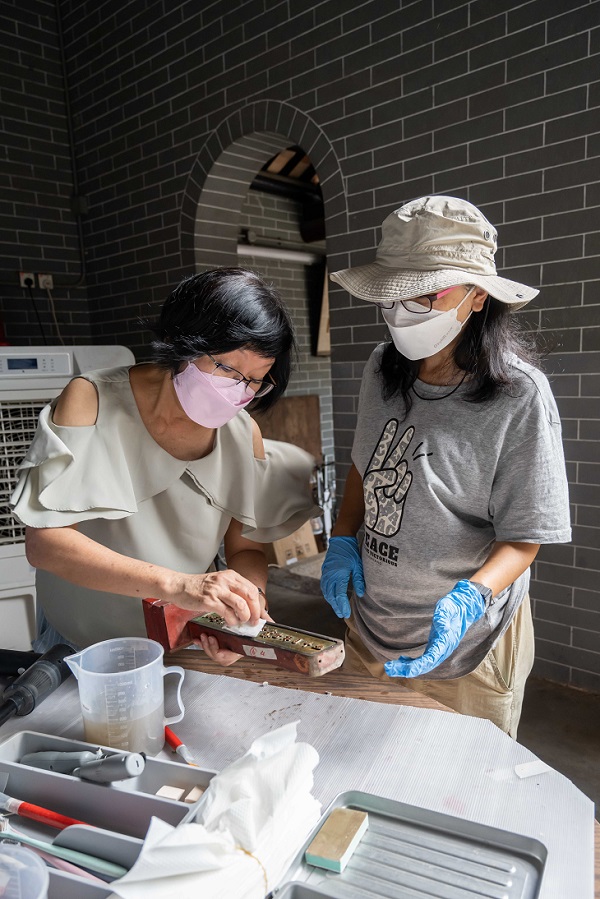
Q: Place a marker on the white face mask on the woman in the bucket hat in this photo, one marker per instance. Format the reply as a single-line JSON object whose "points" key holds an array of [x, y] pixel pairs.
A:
{"points": [[420, 336]]}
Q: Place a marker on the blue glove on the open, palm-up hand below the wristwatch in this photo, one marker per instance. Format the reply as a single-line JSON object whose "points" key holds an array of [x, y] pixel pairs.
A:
{"points": [[453, 615]]}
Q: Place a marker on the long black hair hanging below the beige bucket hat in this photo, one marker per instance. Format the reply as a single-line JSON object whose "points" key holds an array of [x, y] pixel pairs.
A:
{"points": [[483, 352]]}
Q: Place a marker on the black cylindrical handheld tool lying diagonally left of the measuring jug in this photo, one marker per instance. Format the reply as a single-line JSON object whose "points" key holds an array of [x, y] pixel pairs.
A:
{"points": [[36, 683]]}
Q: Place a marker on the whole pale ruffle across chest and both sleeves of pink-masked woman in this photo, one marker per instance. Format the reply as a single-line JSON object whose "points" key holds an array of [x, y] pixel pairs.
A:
{"points": [[75, 474]]}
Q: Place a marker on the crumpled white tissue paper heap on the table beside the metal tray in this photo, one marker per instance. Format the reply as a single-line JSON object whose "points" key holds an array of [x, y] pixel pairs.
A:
{"points": [[251, 822]]}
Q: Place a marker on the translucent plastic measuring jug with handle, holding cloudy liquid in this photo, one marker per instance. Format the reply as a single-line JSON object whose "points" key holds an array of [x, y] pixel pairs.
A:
{"points": [[122, 694]]}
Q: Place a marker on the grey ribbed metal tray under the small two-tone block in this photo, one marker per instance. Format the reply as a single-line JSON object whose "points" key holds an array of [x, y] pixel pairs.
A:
{"points": [[412, 853]]}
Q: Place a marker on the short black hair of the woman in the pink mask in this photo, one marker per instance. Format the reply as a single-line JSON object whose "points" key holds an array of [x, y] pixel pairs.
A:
{"points": [[221, 310]]}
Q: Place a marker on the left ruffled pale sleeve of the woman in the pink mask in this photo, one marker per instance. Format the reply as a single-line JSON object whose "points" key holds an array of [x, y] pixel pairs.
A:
{"points": [[70, 475]]}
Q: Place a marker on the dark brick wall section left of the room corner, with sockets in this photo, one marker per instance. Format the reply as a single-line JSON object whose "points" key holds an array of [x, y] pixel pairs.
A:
{"points": [[39, 232]]}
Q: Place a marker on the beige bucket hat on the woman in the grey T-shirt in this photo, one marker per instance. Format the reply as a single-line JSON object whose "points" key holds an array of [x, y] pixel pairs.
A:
{"points": [[427, 245]]}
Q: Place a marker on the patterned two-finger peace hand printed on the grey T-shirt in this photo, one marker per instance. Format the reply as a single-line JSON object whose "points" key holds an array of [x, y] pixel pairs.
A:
{"points": [[387, 481]]}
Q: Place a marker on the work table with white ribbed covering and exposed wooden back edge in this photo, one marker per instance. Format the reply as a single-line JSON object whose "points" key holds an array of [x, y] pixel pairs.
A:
{"points": [[402, 747]]}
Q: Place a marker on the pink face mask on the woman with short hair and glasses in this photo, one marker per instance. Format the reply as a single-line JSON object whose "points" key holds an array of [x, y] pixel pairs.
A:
{"points": [[207, 399]]}
